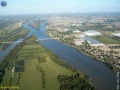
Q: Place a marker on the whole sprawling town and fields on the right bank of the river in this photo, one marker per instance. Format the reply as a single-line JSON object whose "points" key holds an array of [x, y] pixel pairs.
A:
{"points": [[95, 35]]}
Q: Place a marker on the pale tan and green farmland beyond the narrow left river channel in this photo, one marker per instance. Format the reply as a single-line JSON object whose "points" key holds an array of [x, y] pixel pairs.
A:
{"points": [[11, 33]]}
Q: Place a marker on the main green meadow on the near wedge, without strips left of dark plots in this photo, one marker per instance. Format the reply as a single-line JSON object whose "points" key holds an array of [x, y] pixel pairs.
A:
{"points": [[32, 74]]}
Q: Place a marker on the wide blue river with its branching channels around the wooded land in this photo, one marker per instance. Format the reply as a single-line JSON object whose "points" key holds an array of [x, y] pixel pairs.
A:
{"points": [[102, 77]]}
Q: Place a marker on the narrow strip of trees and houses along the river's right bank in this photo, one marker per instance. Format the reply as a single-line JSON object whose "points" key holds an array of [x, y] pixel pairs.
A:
{"points": [[79, 49]]}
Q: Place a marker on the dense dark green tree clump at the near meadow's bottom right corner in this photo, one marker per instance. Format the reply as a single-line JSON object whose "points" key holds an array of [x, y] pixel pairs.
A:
{"points": [[74, 82]]}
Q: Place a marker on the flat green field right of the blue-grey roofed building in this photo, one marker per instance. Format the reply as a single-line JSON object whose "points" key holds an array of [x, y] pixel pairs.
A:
{"points": [[106, 40]]}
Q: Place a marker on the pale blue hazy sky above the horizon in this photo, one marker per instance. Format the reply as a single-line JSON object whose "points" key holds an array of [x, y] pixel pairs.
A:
{"points": [[59, 6]]}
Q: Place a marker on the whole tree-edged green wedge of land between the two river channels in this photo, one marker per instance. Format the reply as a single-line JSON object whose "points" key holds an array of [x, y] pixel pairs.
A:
{"points": [[29, 66]]}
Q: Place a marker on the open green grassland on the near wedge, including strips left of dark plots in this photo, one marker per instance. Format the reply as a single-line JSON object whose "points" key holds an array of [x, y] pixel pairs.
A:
{"points": [[31, 78]]}
